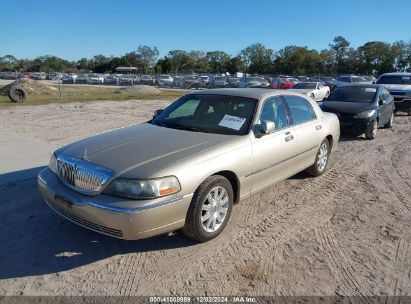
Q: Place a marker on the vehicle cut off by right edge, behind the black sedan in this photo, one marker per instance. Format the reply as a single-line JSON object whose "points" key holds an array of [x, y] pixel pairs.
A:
{"points": [[399, 86]]}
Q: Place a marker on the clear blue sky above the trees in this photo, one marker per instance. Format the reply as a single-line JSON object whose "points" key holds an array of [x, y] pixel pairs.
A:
{"points": [[75, 29]]}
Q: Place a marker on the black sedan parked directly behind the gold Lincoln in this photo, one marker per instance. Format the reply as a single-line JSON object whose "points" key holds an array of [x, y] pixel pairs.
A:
{"points": [[361, 108]]}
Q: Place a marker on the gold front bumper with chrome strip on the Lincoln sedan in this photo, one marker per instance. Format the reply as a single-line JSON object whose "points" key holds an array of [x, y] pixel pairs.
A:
{"points": [[112, 216]]}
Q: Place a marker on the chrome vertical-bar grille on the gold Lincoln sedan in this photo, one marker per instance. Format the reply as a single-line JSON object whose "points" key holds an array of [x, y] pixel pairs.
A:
{"points": [[82, 175]]}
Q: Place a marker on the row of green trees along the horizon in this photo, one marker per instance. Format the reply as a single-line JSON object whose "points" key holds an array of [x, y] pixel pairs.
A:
{"points": [[373, 57]]}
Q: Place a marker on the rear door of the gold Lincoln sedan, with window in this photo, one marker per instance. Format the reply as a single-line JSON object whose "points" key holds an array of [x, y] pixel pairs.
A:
{"points": [[308, 130]]}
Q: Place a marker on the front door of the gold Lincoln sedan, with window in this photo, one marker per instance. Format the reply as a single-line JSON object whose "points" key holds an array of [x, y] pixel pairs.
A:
{"points": [[273, 153]]}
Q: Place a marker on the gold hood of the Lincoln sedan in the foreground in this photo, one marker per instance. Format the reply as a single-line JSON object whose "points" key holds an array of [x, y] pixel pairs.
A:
{"points": [[141, 150]]}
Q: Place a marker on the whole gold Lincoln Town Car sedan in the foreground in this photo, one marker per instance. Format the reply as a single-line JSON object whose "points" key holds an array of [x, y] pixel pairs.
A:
{"points": [[187, 167]]}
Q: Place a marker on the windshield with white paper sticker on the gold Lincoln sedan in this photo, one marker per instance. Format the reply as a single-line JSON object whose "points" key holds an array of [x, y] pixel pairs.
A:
{"points": [[209, 113]]}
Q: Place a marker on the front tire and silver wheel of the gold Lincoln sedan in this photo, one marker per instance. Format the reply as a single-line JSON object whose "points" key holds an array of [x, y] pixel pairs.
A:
{"points": [[202, 230]]}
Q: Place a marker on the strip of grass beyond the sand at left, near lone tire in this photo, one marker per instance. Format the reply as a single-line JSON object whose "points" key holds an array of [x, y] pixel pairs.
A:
{"points": [[89, 93]]}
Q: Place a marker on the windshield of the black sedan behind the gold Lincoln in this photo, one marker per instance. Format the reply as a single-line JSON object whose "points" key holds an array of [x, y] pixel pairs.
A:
{"points": [[353, 94]]}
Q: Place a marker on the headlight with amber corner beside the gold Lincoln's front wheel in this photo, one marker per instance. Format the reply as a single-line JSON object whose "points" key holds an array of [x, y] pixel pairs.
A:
{"points": [[143, 188]]}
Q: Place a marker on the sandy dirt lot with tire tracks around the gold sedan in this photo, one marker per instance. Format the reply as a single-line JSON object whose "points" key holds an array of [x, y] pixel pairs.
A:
{"points": [[344, 233]]}
